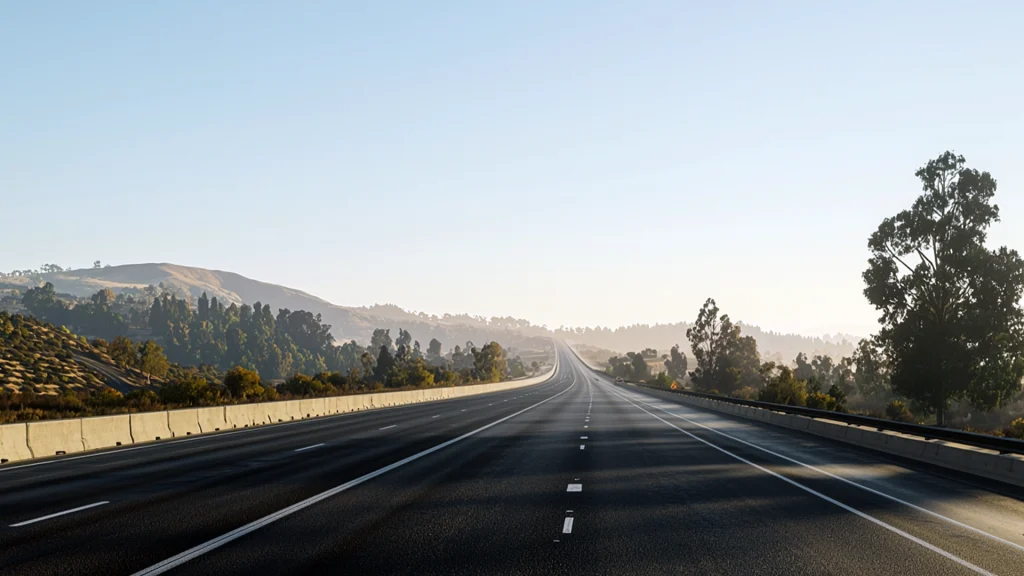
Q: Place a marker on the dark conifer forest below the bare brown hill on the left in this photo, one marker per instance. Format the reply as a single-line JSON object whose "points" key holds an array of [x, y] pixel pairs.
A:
{"points": [[226, 337]]}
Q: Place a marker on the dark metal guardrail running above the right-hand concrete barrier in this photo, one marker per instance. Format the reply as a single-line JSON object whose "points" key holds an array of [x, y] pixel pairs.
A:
{"points": [[999, 444]]}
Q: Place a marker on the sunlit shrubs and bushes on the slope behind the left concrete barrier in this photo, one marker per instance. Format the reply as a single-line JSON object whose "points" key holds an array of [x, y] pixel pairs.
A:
{"points": [[44, 375]]}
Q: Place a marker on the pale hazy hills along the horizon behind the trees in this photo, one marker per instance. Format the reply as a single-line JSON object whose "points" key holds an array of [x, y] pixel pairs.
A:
{"points": [[358, 323]]}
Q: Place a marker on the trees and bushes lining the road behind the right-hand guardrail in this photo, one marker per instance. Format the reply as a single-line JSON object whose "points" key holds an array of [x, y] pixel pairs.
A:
{"points": [[951, 346]]}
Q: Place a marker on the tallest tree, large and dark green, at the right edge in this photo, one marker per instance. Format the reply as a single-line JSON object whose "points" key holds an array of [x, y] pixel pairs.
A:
{"points": [[952, 325]]}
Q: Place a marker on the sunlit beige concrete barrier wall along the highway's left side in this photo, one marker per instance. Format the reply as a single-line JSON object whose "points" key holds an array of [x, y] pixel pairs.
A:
{"points": [[36, 440]]}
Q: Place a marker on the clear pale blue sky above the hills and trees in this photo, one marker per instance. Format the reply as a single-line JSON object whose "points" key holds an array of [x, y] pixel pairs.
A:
{"points": [[569, 162]]}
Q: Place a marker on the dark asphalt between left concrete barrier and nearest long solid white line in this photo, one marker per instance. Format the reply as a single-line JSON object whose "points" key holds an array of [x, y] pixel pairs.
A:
{"points": [[174, 496]]}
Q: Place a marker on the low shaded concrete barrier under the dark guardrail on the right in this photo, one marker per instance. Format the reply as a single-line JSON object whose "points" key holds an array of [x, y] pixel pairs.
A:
{"points": [[978, 462]]}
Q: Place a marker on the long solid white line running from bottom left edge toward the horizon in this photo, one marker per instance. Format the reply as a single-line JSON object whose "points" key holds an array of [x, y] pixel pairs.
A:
{"points": [[201, 550]]}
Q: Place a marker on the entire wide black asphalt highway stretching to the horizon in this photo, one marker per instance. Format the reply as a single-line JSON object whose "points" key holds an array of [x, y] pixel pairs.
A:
{"points": [[575, 476]]}
